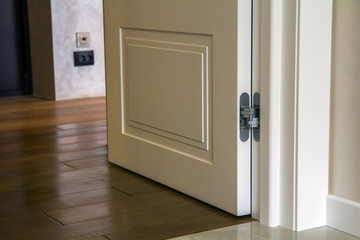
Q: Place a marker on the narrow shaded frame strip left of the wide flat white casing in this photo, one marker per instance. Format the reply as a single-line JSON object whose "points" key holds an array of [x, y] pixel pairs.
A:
{"points": [[289, 82]]}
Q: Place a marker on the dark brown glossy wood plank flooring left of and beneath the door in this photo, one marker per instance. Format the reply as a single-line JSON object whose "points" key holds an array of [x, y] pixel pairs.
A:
{"points": [[56, 182]]}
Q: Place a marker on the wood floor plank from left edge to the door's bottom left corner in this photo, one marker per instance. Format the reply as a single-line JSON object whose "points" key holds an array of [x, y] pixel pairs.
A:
{"points": [[47, 185]]}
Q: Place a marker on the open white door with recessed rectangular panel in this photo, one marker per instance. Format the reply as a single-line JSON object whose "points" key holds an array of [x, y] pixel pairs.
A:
{"points": [[175, 70]]}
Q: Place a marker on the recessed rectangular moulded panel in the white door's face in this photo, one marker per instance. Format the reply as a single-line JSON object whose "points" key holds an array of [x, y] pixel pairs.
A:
{"points": [[158, 72]]}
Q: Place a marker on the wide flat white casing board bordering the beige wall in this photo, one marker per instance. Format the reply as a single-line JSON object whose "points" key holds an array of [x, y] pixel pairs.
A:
{"points": [[314, 79]]}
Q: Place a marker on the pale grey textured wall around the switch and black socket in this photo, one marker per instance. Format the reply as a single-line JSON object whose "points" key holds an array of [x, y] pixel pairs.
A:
{"points": [[69, 17]]}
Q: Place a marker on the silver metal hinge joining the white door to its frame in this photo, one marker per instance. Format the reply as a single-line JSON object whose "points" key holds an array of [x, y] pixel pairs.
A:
{"points": [[249, 117]]}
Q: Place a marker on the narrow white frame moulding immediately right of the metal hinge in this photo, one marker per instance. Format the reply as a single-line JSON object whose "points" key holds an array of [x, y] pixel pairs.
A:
{"points": [[271, 50]]}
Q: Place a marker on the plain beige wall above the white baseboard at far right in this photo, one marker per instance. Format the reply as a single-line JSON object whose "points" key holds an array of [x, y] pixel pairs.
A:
{"points": [[345, 116]]}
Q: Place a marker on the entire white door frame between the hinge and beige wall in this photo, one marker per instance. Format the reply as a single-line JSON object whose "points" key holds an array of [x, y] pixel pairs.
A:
{"points": [[295, 77]]}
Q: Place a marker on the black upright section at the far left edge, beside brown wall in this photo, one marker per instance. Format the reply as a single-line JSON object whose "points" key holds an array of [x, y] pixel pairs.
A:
{"points": [[15, 64]]}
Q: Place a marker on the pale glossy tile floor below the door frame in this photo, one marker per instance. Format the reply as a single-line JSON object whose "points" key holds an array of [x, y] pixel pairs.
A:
{"points": [[256, 231]]}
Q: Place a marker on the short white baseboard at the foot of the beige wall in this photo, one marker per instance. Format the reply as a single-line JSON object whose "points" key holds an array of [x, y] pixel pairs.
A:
{"points": [[343, 215]]}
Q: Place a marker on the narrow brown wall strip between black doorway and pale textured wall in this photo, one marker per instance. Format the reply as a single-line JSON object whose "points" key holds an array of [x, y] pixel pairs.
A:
{"points": [[41, 48]]}
